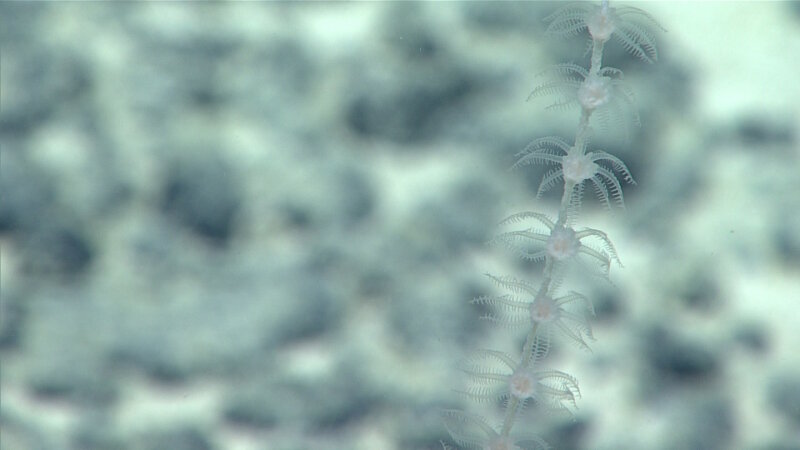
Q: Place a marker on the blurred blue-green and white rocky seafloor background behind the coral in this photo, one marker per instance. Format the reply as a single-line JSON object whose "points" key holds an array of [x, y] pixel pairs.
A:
{"points": [[259, 225]]}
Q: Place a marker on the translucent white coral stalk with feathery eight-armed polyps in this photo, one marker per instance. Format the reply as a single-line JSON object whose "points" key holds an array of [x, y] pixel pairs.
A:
{"points": [[515, 383]]}
